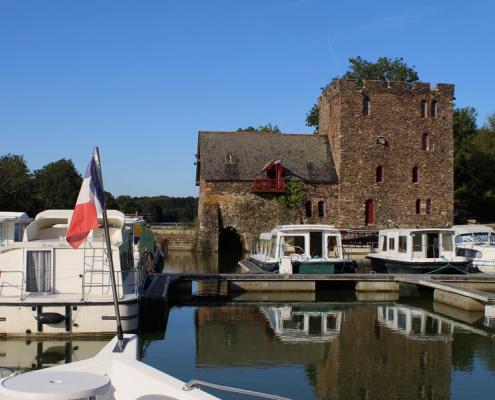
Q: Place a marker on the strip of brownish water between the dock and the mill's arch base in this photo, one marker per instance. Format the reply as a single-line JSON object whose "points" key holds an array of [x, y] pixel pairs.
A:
{"points": [[185, 261]]}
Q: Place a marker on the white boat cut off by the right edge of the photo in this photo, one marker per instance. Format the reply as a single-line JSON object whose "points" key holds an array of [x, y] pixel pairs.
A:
{"points": [[477, 243]]}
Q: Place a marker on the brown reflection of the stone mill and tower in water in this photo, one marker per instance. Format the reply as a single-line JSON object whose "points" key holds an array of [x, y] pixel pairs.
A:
{"points": [[348, 351]]}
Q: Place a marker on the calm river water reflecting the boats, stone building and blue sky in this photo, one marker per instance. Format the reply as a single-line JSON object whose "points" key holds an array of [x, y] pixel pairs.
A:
{"points": [[334, 346]]}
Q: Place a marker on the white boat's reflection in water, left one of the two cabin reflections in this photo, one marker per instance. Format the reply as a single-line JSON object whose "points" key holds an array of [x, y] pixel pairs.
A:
{"points": [[293, 324]]}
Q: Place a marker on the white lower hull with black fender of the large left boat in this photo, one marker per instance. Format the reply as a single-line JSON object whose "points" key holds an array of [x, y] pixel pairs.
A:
{"points": [[76, 318]]}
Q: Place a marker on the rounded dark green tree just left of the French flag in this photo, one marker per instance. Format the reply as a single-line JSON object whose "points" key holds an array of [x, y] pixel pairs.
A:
{"points": [[57, 185]]}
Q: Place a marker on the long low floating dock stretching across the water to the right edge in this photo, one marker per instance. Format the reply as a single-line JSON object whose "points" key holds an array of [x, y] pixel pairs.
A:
{"points": [[472, 292]]}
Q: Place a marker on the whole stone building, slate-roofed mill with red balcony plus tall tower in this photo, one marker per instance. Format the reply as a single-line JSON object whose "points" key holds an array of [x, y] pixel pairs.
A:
{"points": [[383, 157]]}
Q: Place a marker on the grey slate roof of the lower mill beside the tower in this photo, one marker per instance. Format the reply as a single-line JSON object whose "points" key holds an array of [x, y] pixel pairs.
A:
{"points": [[307, 156]]}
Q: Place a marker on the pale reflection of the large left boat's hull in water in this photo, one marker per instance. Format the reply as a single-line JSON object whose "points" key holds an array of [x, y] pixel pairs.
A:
{"points": [[35, 354]]}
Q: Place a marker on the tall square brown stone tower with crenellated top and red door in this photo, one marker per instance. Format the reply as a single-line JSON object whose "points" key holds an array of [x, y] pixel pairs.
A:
{"points": [[392, 144]]}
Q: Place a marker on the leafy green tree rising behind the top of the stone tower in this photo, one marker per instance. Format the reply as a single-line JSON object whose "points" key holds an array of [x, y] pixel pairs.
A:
{"points": [[383, 69]]}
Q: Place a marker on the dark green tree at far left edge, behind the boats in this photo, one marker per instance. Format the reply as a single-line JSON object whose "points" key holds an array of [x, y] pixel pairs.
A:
{"points": [[16, 189]]}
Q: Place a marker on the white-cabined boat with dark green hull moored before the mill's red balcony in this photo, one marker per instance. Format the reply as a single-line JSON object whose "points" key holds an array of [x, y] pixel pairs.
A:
{"points": [[301, 249]]}
